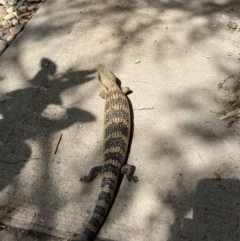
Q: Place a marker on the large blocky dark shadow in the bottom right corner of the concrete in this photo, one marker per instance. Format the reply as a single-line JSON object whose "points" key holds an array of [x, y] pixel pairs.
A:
{"points": [[212, 212]]}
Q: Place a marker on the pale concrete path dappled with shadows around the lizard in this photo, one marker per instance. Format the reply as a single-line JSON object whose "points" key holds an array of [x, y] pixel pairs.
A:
{"points": [[173, 55]]}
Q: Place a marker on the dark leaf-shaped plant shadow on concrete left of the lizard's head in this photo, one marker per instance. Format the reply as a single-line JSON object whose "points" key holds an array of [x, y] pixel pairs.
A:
{"points": [[45, 89]]}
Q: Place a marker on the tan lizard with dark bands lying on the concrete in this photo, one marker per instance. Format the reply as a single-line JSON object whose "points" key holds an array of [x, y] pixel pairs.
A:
{"points": [[117, 126]]}
